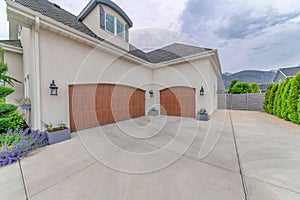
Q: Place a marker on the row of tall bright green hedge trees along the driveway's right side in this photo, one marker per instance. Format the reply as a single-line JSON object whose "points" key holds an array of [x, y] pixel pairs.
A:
{"points": [[284, 100]]}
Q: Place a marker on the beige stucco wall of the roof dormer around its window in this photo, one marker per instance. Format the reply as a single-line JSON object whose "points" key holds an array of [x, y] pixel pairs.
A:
{"points": [[92, 20]]}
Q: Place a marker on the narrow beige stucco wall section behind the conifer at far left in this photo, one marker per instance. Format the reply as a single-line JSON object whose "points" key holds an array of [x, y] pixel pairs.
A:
{"points": [[15, 70]]}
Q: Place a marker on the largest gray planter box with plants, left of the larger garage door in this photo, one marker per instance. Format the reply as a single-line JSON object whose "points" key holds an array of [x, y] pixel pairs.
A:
{"points": [[57, 134]]}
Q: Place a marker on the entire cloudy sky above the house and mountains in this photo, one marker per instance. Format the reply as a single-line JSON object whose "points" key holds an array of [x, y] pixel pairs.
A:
{"points": [[254, 34]]}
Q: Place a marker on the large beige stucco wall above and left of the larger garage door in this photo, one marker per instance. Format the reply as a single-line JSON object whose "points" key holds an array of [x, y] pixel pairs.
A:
{"points": [[69, 62]]}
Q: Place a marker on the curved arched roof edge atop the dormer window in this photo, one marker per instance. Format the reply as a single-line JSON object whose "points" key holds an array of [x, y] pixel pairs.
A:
{"points": [[93, 3]]}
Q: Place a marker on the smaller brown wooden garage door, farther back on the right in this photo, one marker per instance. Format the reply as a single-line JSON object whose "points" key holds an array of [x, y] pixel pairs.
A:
{"points": [[178, 101]]}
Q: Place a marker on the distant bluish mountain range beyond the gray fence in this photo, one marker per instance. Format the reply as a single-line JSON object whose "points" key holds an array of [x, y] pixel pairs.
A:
{"points": [[249, 76]]}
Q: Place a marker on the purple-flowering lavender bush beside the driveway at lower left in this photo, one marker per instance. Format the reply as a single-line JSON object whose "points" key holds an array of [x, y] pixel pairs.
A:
{"points": [[15, 144]]}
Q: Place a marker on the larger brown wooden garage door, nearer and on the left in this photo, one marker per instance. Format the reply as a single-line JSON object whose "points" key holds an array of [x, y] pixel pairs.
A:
{"points": [[99, 104]]}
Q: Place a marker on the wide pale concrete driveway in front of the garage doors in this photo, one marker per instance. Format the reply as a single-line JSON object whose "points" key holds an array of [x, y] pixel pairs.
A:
{"points": [[236, 155]]}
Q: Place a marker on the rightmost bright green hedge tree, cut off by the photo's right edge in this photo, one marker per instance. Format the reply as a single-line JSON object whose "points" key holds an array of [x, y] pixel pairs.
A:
{"points": [[293, 99]]}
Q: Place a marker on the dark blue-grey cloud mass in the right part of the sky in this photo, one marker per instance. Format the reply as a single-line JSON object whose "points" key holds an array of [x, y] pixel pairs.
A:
{"points": [[248, 34]]}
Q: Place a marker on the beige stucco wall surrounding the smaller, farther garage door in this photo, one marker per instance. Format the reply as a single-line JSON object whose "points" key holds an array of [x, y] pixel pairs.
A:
{"points": [[192, 74]]}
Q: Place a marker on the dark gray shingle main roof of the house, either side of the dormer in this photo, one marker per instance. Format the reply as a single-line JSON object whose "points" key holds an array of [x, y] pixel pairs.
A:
{"points": [[58, 14]]}
